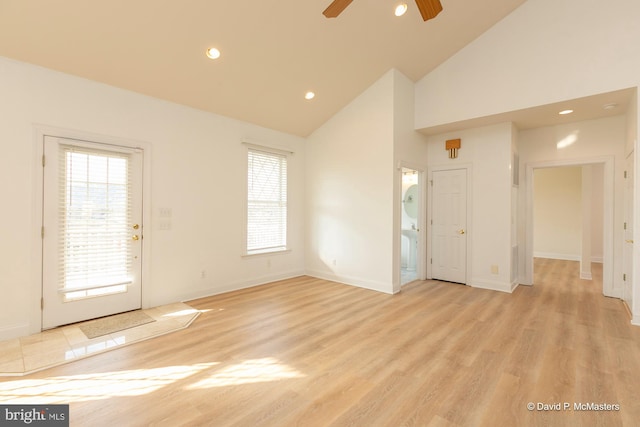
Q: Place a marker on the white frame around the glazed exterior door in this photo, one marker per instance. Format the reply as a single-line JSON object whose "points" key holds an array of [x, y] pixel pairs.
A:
{"points": [[40, 131]]}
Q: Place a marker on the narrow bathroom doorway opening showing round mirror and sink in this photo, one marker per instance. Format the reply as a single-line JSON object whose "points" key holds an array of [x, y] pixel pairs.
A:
{"points": [[411, 220]]}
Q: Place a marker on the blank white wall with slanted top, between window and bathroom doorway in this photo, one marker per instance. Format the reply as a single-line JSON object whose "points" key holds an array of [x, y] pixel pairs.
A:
{"points": [[349, 192]]}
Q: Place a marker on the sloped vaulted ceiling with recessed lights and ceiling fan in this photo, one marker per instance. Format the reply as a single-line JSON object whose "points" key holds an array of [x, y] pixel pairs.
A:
{"points": [[272, 51]]}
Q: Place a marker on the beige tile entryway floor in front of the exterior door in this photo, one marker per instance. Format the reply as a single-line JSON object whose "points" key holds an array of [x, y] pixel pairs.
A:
{"points": [[21, 356]]}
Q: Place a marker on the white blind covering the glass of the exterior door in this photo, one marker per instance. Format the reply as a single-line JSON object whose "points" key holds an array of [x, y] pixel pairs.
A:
{"points": [[94, 217]]}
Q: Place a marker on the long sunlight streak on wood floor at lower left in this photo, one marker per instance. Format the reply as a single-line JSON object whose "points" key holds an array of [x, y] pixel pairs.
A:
{"points": [[98, 386]]}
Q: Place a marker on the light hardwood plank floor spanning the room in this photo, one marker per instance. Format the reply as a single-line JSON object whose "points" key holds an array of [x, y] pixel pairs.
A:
{"points": [[308, 352]]}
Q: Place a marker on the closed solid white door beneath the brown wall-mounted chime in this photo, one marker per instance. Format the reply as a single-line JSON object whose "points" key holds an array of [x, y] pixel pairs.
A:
{"points": [[449, 229]]}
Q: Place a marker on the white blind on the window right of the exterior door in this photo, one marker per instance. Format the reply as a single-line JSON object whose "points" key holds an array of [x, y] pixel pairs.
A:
{"points": [[266, 202]]}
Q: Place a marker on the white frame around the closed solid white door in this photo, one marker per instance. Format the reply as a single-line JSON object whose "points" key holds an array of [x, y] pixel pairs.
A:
{"points": [[469, 227]]}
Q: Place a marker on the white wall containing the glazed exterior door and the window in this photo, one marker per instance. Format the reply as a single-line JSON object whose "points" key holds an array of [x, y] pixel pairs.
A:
{"points": [[197, 171]]}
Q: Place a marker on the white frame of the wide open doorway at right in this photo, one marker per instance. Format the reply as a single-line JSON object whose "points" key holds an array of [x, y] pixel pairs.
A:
{"points": [[608, 229]]}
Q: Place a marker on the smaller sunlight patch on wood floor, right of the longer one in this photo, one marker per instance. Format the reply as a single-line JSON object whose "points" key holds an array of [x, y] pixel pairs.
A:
{"points": [[248, 372]]}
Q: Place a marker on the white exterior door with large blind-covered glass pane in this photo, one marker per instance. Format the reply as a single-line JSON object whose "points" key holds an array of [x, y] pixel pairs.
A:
{"points": [[92, 230]]}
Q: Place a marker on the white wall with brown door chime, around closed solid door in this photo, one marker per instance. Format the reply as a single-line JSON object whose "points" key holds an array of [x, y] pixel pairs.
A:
{"points": [[486, 151]]}
